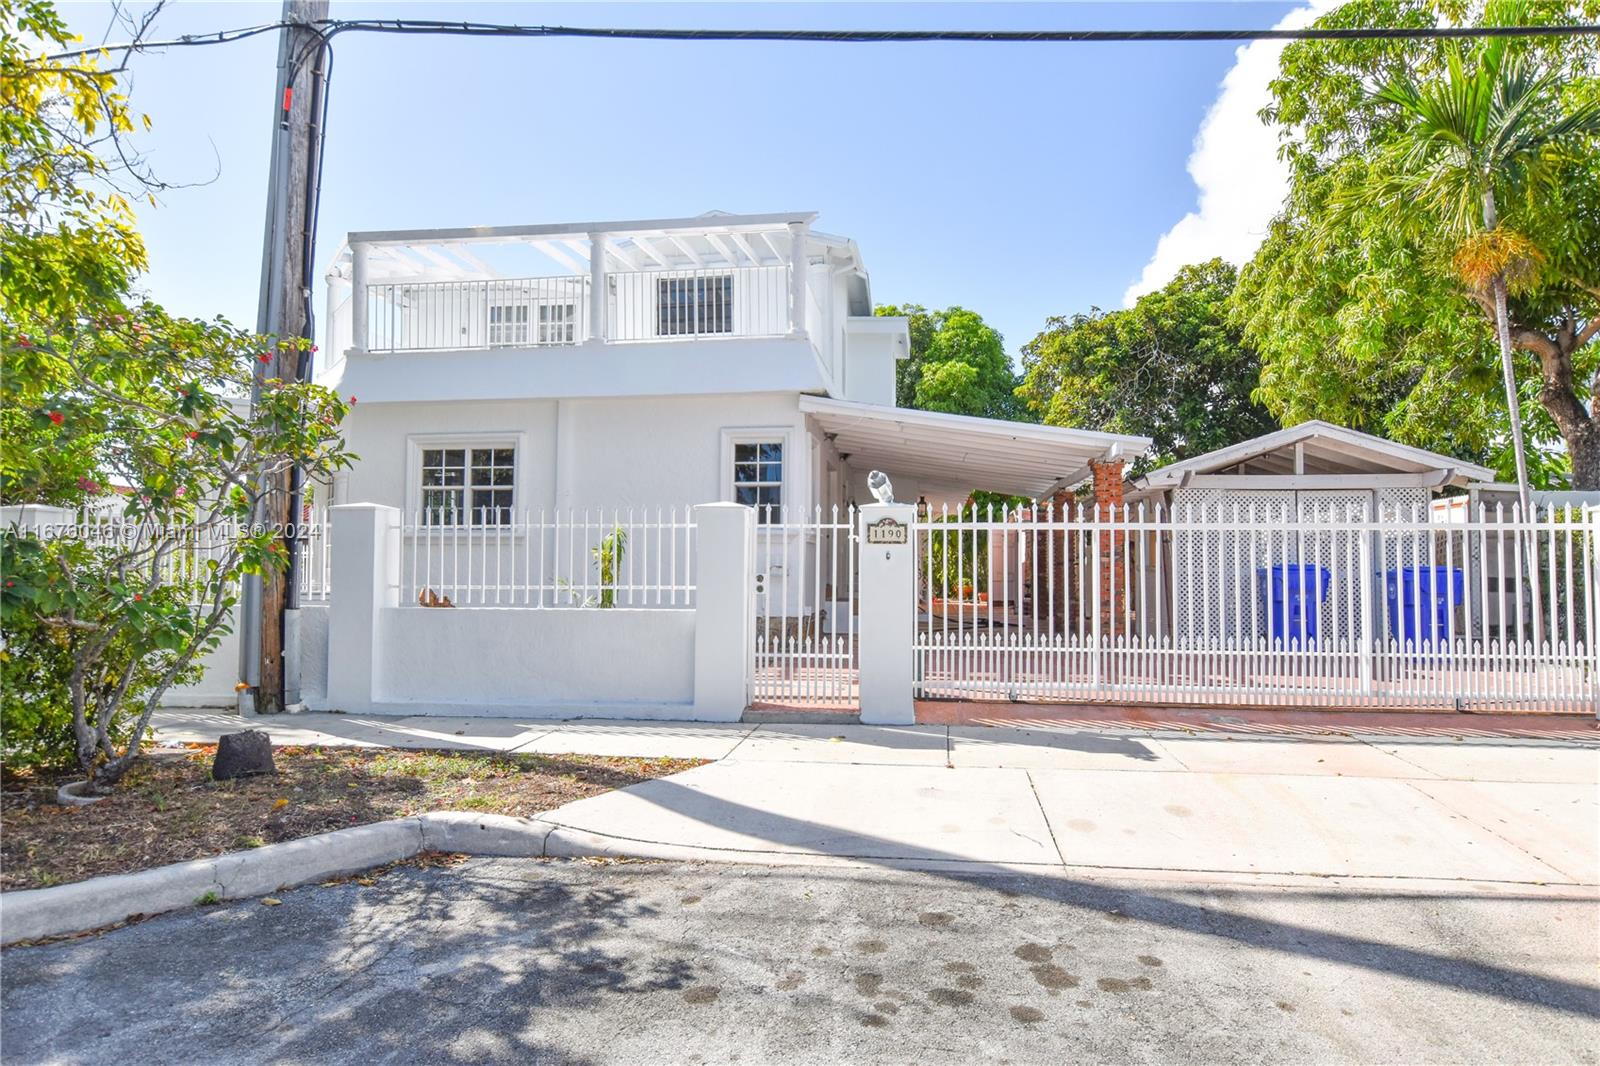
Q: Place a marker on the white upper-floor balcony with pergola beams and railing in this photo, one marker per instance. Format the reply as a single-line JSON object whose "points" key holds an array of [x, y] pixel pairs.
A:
{"points": [[530, 287]]}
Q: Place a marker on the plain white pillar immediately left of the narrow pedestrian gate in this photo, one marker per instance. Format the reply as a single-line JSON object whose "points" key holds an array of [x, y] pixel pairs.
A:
{"points": [[724, 611]]}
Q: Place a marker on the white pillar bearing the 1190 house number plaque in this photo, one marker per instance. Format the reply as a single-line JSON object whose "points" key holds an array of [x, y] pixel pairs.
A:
{"points": [[887, 623]]}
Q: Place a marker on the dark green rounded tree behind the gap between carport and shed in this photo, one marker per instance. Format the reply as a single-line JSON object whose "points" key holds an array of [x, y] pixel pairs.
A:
{"points": [[1172, 369]]}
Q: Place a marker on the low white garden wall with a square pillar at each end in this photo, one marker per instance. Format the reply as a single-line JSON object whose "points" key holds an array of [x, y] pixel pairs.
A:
{"points": [[393, 657]]}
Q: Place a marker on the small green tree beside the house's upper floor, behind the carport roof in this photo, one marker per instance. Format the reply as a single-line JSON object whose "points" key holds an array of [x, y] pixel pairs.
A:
{"points": [[958, 366]]}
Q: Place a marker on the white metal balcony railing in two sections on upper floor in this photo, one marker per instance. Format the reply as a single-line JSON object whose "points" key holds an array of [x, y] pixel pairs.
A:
{"points": [[556, 311]]}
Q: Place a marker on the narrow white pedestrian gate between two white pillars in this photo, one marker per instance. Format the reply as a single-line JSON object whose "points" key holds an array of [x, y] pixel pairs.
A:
{"points": [[806, 619]]}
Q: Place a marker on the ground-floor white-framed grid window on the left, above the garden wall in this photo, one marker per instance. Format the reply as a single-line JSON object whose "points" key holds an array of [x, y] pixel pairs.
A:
{"points": [[465, 483]]}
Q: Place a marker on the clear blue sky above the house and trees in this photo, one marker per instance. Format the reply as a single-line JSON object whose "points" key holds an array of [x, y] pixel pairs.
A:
{"points": [[1017, 180]]}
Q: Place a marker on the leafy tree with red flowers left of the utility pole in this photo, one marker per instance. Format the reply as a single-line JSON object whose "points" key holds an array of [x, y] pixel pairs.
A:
{"points": [[106, 401]]}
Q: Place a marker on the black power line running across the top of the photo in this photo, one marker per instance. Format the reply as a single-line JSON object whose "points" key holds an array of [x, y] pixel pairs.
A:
{"points": [[332, 28]]}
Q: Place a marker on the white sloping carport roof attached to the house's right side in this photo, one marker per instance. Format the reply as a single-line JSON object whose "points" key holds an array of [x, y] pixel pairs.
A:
{"points": [[977, 452]]}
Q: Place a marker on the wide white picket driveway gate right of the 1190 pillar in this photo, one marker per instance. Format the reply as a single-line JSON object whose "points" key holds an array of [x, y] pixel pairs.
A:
{"points": [[1201, 607]]}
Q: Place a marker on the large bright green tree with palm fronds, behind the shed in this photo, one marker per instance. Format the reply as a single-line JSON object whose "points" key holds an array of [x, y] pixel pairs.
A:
{"points": [[1372, 302]]}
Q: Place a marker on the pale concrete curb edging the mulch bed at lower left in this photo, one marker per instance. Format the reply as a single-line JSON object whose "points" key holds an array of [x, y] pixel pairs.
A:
{"points": [[100, 902]]}
